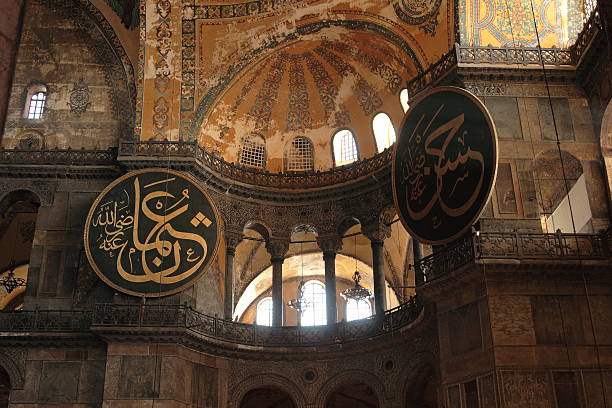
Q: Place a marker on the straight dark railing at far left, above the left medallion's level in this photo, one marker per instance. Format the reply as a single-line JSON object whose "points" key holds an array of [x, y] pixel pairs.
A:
{"points": [[58, 156]]}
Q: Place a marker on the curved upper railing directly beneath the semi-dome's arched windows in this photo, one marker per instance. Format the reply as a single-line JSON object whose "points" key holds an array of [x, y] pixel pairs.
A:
{"points": [[191, 150]]}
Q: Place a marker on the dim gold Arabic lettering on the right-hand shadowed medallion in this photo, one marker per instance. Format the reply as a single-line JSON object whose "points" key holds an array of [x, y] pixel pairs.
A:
{"points": [[414, 169]]}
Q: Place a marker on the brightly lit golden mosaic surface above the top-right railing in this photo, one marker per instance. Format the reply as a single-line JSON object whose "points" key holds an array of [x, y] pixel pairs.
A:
{"points": [[507, 23]]}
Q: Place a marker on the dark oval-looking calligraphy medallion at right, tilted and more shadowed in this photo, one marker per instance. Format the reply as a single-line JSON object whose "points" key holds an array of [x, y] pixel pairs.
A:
{"points": [[444, 165]]}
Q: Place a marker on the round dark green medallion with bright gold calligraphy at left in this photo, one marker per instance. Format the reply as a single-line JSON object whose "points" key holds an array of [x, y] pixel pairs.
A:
{"points": [[152, 232]]}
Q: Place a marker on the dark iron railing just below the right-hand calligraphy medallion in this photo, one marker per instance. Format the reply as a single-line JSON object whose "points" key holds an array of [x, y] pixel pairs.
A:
{"points": [[521, 246]]}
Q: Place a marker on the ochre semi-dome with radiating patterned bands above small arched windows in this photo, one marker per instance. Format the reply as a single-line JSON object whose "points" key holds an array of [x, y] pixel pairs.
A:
{"points": [[332, 80]]}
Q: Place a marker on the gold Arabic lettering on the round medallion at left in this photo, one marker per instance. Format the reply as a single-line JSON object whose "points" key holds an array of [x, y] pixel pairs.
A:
{"points": [[122, 229]]}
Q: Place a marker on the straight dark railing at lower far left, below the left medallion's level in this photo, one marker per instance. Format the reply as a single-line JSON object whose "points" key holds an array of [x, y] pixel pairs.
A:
{"points": [[45, 321]]}
